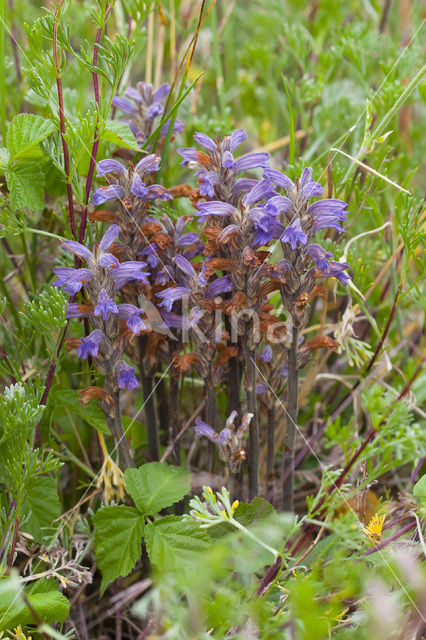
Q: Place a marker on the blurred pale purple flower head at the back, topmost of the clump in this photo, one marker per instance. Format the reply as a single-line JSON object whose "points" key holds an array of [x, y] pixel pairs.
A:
{"points": [[142, 107]]}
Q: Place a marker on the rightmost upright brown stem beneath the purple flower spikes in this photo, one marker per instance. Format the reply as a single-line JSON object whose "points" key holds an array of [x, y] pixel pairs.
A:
{"points": [[291, 422]]}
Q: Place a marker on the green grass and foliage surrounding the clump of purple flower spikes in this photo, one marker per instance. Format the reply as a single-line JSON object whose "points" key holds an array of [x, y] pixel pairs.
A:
{"points": [[338, 86]]}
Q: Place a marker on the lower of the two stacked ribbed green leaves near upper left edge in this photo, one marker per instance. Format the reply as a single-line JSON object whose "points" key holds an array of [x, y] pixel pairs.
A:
{"points": [[25, 181]]}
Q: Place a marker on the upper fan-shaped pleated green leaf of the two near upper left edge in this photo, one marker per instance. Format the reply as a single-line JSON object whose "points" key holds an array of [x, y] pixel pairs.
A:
{"points": [[25, 132]]}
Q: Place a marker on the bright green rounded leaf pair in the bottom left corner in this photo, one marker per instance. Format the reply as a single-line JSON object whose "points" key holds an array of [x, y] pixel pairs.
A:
{"points": [[44, 597]]}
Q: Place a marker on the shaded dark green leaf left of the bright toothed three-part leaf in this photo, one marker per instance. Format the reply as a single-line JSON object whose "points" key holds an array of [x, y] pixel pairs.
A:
{"points": [[41, 506]]}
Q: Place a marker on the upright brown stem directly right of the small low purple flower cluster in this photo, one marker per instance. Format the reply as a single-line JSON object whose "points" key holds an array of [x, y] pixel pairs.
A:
{"points": [[253, 448]]}
